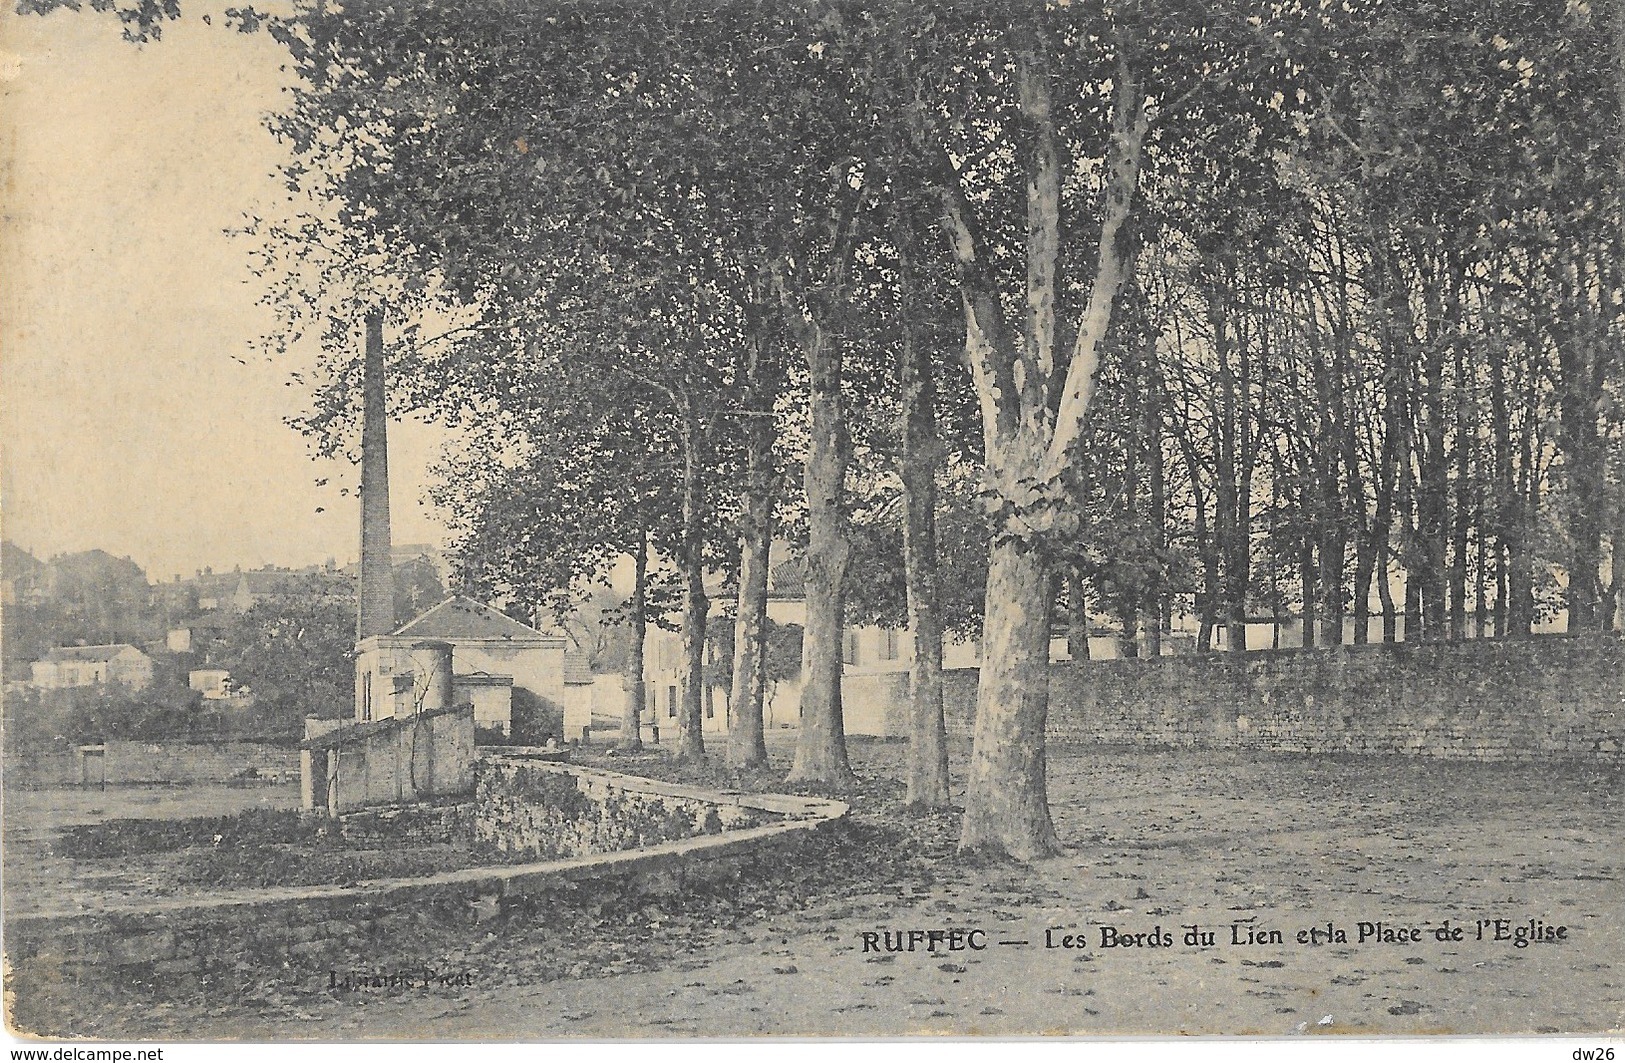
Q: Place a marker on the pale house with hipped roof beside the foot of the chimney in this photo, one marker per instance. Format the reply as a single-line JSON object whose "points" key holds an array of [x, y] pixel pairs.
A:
{"points": [[492, 656]]}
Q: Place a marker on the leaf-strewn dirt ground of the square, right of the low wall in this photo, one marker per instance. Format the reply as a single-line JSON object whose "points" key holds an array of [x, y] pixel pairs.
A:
{"points": [[1242, 848]]}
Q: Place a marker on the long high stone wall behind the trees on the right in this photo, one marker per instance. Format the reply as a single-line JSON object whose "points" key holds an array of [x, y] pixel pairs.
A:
{"points": [[1548, 698]]}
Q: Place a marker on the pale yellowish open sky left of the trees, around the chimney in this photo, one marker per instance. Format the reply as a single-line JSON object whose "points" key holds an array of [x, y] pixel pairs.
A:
{"points": [[128, 422]]}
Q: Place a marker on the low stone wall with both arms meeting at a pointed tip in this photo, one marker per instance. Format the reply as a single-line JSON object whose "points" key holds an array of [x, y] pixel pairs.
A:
{"points": [[321, 929]]}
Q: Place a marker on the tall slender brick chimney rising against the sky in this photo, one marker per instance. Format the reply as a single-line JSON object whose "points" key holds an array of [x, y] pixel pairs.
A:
{"points": [[376, 614]]}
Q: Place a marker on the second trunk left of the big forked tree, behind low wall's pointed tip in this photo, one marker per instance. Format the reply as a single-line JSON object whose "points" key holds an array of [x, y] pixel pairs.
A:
{"points": [[821, 752]]}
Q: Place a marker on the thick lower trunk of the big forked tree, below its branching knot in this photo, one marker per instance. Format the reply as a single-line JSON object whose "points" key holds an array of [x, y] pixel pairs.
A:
{"points": [[1013, 703]]}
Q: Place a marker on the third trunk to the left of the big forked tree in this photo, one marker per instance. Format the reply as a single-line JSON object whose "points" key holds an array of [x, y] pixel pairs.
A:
{"points": [[747, 742]]}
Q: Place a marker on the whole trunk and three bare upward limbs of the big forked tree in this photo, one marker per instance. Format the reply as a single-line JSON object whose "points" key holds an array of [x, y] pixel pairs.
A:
{"points": [[1020, 383]]}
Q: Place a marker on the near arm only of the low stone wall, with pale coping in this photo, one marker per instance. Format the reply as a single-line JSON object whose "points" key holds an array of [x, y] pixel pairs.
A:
{"points": [[316, 934]]}
